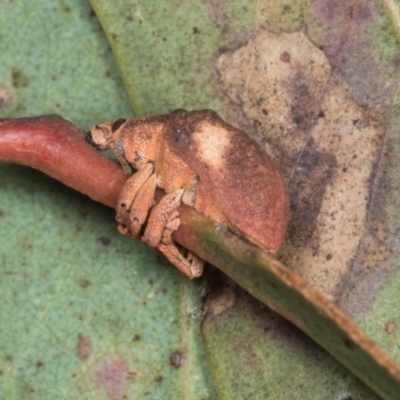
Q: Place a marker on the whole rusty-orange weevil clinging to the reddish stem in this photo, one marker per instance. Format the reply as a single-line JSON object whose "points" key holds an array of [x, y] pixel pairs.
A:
{"points": [[201, 161]]}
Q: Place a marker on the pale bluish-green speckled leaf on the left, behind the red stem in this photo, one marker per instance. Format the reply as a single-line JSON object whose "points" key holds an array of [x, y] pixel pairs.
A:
{"points": [[85, 313]]}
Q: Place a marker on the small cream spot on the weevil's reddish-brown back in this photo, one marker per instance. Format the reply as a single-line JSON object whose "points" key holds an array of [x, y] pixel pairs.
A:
{"points": [[211, 143]]}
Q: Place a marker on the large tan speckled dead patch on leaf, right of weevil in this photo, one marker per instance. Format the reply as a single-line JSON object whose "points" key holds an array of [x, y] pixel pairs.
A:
{"points": [[286, 88]]}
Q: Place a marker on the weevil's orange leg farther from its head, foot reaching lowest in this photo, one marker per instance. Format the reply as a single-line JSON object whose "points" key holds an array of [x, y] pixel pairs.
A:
{"points": [[162, 222]]}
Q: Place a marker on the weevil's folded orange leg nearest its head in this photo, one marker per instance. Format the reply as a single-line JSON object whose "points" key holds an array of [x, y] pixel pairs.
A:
{"points": [[135, 200]]}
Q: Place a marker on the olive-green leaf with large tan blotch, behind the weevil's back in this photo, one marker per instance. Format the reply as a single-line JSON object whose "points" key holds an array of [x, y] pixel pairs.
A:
{"points": [[316, 84]]}
